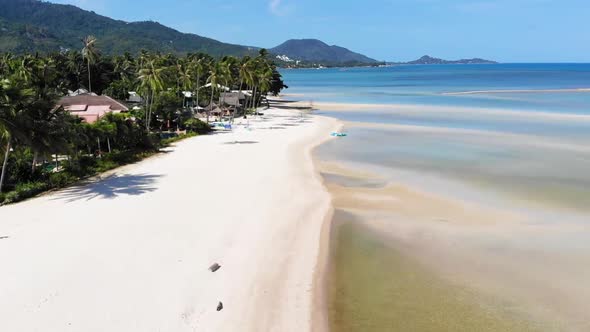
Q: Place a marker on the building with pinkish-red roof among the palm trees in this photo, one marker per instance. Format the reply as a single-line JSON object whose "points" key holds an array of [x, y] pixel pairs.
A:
{"points": [[91, 107]]}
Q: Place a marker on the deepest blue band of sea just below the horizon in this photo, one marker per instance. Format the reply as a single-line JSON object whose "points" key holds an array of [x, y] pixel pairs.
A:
{"points": [[430, 85]]}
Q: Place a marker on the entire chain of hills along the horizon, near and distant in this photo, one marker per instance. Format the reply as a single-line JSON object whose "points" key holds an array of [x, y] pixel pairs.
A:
{"points": [[29, 26]]}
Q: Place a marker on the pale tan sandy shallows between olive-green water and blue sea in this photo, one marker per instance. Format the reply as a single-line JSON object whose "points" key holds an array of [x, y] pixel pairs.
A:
{"points": [[449, 237]]}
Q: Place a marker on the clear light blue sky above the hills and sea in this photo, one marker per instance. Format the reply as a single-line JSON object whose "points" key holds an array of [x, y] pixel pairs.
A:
{"points": [[388, 30]]}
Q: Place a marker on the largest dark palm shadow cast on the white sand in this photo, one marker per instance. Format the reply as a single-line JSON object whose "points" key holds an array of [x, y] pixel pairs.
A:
{"points": [[110, 187]]}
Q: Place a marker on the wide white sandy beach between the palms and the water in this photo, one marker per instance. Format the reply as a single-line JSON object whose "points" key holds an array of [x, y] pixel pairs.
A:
{"points": [[132, 252]]}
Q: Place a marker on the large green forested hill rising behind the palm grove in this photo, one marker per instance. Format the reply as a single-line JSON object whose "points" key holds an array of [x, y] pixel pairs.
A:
{"points": [[31, 25]]}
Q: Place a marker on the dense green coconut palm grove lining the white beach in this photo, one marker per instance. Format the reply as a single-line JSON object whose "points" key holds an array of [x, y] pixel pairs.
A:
{"points": [[44, 146]]}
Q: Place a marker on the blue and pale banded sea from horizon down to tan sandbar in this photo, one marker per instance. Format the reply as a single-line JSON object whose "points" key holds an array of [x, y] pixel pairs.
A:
{"points": [[533, 141]]}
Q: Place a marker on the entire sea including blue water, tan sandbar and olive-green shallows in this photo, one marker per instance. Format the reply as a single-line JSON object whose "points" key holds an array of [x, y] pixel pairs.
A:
{"points": [[475, 175]]}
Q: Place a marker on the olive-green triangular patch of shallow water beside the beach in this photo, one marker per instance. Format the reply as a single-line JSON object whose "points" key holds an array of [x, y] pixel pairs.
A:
{"points": [[375, 288]]}
